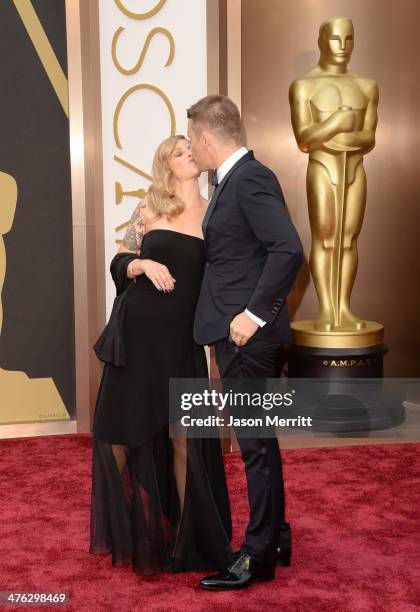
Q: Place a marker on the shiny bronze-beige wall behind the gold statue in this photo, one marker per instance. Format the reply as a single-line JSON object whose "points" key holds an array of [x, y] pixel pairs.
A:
{"points": [[279, 42]]}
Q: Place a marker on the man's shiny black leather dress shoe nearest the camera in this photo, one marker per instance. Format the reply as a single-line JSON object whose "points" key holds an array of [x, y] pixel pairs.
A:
{"points": [[243, 571]]}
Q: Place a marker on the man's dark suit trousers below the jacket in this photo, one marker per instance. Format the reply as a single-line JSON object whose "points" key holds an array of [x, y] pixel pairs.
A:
{"points": [[266, 529]]}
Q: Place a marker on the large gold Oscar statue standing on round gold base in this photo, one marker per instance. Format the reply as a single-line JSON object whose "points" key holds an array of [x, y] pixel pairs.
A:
{"points": [[334, 118]]}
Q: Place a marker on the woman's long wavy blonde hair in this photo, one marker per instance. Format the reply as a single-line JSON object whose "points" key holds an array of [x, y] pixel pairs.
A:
{"points": [[161, 196]]}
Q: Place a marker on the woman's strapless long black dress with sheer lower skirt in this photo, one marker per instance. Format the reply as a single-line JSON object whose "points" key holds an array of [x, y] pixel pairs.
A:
{"points": [[135, 512]]}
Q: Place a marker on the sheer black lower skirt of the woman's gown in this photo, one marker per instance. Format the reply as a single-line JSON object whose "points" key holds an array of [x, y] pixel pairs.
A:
{"points": [[161, 506]]}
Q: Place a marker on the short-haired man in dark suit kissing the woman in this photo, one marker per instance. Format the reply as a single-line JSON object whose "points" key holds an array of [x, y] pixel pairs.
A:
{"points": [[253, 254]]}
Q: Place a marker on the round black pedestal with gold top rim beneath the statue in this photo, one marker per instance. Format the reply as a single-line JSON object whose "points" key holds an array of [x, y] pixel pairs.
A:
{"points": [[344, 403]]}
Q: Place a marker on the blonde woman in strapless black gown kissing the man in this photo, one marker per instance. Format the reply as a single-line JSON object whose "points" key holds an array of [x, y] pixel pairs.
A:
{"points": [[158, 503]]}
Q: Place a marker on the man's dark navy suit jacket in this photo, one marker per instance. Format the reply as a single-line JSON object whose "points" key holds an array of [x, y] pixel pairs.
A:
{"points": [[253, 253]]}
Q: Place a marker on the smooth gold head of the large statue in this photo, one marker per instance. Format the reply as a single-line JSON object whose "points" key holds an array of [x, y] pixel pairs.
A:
{"points": [[335, 40]]}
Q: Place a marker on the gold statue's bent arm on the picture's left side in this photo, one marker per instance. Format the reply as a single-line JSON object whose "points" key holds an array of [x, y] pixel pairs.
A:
{"points": [[310, 136]]}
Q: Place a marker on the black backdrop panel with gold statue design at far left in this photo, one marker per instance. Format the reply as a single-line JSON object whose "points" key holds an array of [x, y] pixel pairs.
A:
{"points": [[37, 374]]}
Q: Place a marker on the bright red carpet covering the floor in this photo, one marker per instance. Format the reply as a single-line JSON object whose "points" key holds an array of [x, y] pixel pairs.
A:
{"points": [[355, 513]]}
